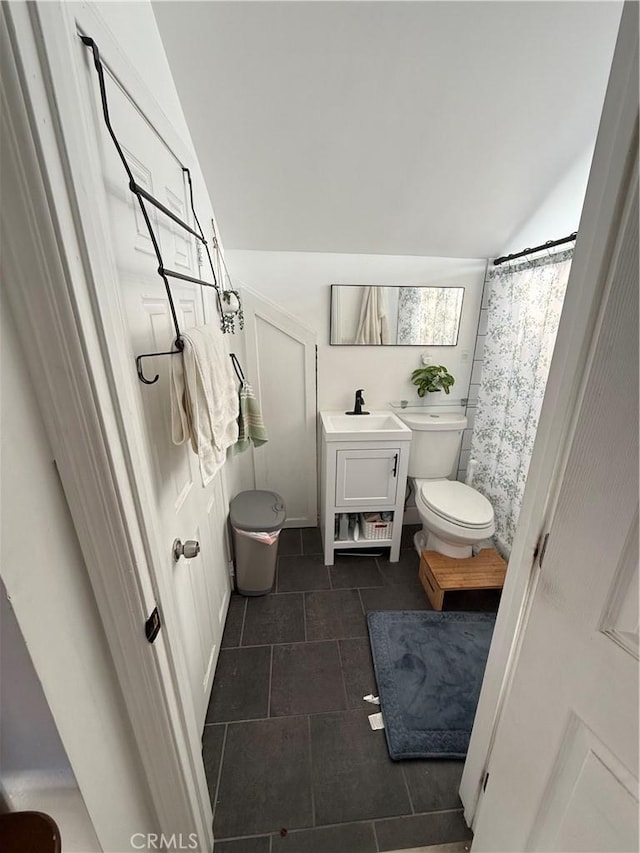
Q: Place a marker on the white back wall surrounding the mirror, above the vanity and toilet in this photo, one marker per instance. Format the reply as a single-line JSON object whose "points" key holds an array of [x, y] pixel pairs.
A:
{"points": [[300, 283]]}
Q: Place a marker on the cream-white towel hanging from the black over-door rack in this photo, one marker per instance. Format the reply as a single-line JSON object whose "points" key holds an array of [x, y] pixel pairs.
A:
{"points": [[204, 400]]}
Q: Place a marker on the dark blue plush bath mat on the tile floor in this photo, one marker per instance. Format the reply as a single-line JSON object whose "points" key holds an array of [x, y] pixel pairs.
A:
{"points": [[429, 668]]}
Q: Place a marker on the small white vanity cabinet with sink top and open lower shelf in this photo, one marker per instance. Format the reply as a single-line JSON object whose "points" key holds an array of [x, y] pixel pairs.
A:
{"points": [[364, 465]]}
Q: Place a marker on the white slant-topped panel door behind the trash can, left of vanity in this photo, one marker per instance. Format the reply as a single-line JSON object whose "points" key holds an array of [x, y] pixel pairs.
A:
{"points": [[281, 367]]}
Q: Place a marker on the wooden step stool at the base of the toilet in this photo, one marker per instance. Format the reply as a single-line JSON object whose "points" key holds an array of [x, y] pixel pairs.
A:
{"points": [[439, 573]]}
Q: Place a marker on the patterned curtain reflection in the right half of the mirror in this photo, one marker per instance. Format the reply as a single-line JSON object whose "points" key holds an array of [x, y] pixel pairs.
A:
{"points": [[429, 314]]}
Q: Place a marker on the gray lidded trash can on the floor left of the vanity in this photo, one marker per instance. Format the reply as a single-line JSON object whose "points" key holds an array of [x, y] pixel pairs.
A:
{"points": [[256, 520]]}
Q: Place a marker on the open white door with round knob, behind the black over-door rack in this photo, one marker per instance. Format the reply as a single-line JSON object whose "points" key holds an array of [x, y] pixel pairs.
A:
{"points": [[185, 509]]}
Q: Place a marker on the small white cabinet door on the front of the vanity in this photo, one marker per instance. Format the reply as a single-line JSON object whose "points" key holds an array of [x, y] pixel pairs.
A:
{"points": [[367, 477]]}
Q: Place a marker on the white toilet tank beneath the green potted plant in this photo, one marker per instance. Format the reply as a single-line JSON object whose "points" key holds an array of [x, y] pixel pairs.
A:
{"points": [[435, 443]]}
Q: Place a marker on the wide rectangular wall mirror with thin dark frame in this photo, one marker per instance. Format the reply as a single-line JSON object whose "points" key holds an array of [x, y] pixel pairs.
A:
{"points": [[372, 315]]}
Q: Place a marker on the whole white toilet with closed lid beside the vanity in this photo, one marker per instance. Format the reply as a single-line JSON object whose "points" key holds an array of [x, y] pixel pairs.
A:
{"points": [[454, 516]]}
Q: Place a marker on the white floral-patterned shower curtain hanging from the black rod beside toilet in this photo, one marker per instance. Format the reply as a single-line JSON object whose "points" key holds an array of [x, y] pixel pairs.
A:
{"points": [[524, 311]]}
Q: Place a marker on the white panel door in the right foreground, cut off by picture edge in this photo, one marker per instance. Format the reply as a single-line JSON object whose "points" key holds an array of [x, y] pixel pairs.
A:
{"points": [[563, 774]]}
